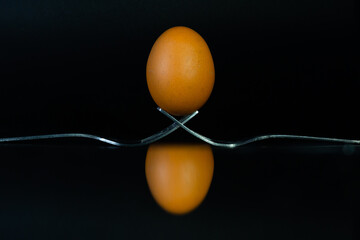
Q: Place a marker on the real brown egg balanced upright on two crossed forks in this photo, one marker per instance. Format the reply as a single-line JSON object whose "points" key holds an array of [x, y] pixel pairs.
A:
{"points": [[180, 71]]}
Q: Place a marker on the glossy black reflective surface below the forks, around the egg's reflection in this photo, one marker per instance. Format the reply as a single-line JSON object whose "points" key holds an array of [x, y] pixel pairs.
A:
{"points": [[267, 191]]}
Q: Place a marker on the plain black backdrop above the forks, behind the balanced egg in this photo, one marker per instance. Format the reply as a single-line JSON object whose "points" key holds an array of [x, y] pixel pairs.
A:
{"points": [[79, 66]]}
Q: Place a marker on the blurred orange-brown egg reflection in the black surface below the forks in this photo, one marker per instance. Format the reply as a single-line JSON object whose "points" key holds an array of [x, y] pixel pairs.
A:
{"points": [[179, 175]]}
